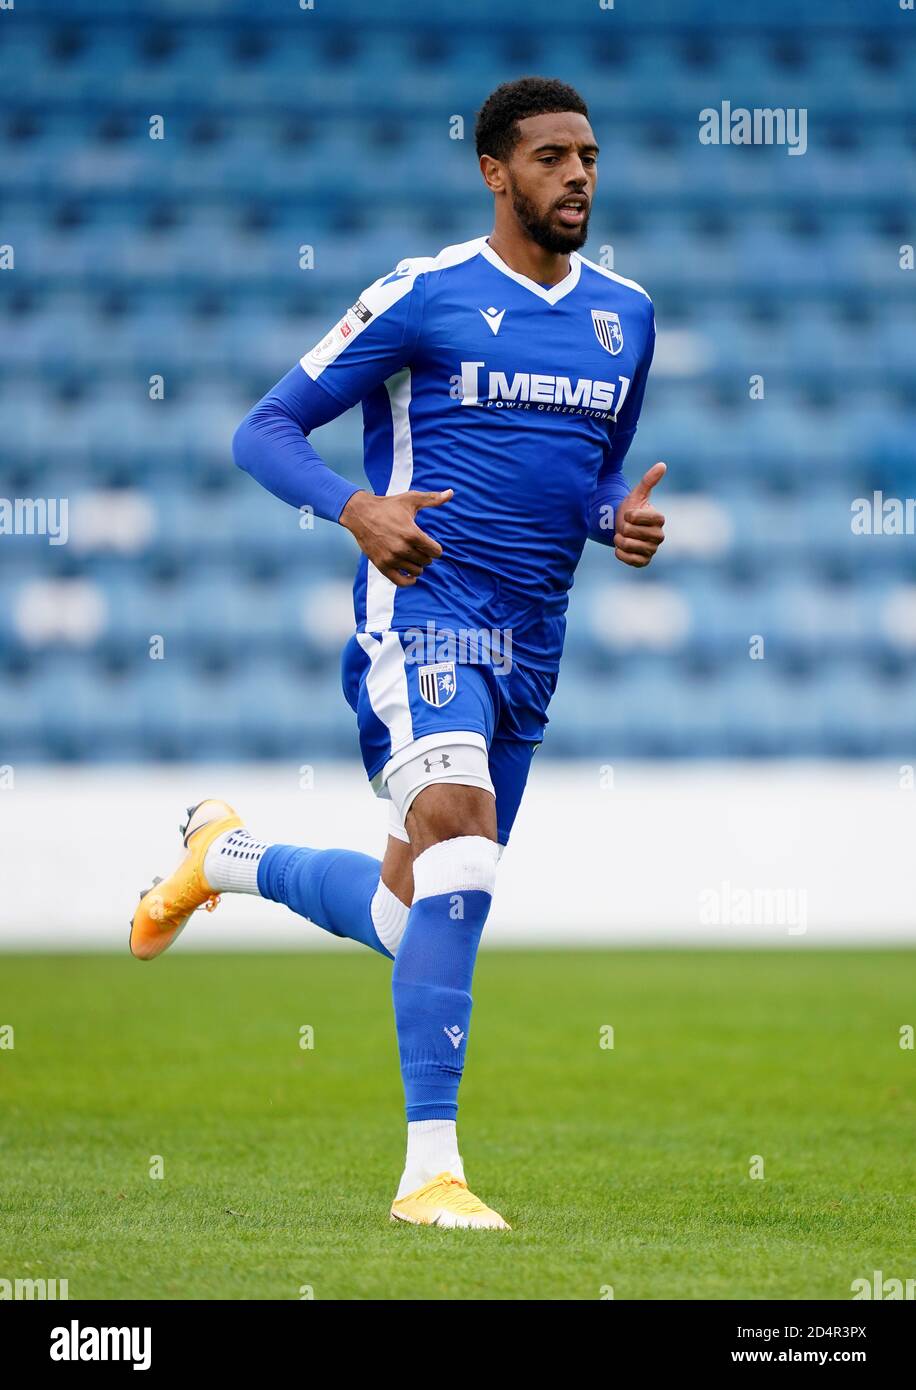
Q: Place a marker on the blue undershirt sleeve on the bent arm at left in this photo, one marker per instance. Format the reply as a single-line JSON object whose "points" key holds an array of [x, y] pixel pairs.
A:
{"points": [[272, 445]]}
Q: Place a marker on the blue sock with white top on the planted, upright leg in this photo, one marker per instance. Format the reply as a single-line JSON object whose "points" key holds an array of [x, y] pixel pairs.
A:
{"points": [[432, 982]]}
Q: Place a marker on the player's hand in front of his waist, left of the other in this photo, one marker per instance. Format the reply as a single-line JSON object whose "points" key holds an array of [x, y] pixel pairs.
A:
{"points": [[386, 532]]}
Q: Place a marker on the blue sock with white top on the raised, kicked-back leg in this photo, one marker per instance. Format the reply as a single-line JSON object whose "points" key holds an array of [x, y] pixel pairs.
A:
{"points": [[338, 890]]}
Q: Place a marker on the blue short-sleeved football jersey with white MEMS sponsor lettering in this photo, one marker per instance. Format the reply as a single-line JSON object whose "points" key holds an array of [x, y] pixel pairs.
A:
{"points": [[522, 398]]}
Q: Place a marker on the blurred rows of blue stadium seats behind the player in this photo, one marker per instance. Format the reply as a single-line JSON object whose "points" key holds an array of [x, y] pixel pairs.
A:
{"points": [[330, 129]]}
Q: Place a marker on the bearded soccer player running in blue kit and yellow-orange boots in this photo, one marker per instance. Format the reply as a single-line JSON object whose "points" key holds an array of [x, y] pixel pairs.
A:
{"points": [[501, 386]]}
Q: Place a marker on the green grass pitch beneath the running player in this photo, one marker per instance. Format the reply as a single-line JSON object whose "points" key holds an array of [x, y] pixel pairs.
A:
{"points": [[625, 1168]]}
